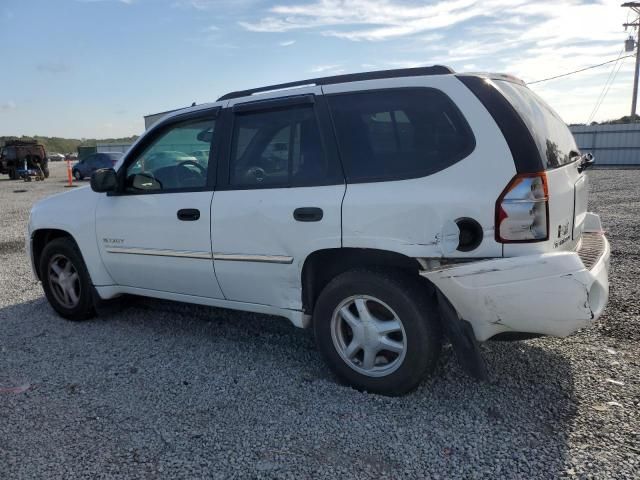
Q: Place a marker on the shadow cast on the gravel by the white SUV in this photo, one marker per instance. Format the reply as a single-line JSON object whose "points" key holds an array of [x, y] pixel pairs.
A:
{"points": [[212, 387]]}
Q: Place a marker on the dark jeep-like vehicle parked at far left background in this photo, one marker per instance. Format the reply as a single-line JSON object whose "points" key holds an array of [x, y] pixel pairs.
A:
{"points": [[20, 158]]}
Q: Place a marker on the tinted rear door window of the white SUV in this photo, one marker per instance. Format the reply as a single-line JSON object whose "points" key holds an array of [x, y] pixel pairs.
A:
{"points": [[279, 147]]}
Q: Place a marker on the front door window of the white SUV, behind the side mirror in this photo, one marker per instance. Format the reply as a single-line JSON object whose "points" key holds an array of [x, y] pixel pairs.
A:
{"points": [[177, 159]]}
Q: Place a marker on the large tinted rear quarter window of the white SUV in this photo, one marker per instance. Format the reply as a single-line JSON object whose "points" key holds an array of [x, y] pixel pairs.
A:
{"points": [[400, 133]]}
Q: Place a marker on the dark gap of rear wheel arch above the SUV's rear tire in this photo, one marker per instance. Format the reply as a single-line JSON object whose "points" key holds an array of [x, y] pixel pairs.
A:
{"points": [[321, 266]]}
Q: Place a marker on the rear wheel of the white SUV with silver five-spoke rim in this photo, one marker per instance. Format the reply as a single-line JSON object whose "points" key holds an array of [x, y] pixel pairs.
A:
{"points": [[378, 331]]}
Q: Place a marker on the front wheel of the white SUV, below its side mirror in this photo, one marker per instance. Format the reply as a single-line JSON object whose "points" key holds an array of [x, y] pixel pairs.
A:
{"points": [[65, 280]]}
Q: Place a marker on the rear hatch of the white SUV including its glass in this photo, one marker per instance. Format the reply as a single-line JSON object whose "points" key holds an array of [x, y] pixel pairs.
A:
{"points": [[567, 185]]}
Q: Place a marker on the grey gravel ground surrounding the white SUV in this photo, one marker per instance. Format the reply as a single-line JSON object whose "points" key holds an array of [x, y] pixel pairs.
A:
{"points": [[166, 390]]}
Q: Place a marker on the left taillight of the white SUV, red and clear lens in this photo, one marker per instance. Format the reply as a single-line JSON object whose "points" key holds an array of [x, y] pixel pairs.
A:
{"points": [[522, 210]]}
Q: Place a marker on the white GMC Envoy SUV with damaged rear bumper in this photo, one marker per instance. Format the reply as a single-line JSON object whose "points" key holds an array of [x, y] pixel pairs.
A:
{"points": [[388, 210]]}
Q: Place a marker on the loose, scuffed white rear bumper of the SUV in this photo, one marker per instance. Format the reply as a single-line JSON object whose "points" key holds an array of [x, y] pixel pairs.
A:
{"points": [[550, 294]]}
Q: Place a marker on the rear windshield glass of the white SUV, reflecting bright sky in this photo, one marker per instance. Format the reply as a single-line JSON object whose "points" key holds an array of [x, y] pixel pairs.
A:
{"points": [[554, 139]]}
